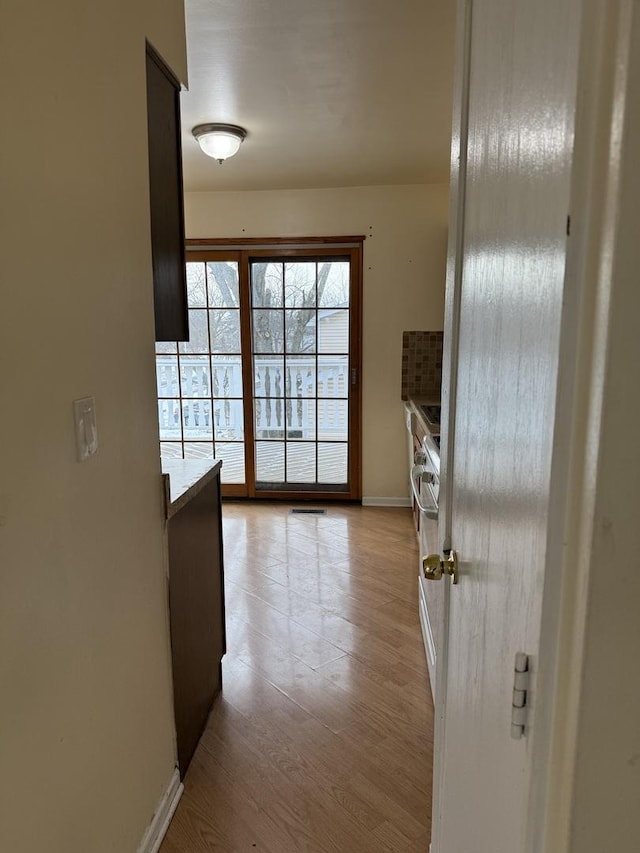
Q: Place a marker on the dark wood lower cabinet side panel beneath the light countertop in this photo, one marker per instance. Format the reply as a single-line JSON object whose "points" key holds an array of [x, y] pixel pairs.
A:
{"points": [[196, 602]]}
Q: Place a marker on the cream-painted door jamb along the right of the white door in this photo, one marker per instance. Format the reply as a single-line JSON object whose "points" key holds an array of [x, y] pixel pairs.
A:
{"points": [[603, 95]]}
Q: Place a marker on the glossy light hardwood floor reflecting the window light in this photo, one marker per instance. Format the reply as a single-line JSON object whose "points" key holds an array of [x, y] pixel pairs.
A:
{"points": [[322, 738]]}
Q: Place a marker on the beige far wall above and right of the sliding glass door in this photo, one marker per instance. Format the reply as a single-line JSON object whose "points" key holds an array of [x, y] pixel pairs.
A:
{"points": [[404, 271]]}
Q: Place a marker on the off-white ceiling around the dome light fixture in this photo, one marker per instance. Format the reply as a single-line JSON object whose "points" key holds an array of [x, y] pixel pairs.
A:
{"points": [[332, 92]]}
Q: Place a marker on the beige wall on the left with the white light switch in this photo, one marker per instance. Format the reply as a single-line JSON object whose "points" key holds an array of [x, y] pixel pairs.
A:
{"points": [[86, 722]]}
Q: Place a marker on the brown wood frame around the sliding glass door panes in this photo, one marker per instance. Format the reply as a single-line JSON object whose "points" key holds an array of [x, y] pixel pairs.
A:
{"points": [[244, 250]]}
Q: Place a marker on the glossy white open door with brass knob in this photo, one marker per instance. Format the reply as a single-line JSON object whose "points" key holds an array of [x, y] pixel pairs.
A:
{"points": [[510, 260]]}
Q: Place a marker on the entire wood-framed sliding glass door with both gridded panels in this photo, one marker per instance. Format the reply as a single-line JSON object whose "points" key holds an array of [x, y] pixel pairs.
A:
{"points": [[270, 378]]}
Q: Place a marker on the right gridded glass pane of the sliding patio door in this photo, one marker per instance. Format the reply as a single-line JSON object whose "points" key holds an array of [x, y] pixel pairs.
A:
{"points": [[301, 368]]}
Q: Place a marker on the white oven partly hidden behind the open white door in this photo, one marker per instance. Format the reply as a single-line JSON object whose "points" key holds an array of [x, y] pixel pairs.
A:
{"points": [[425, 487]]}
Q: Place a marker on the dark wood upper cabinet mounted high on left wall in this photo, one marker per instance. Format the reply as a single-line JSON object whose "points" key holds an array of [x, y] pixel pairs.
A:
{"points": [[166, 200]]}
